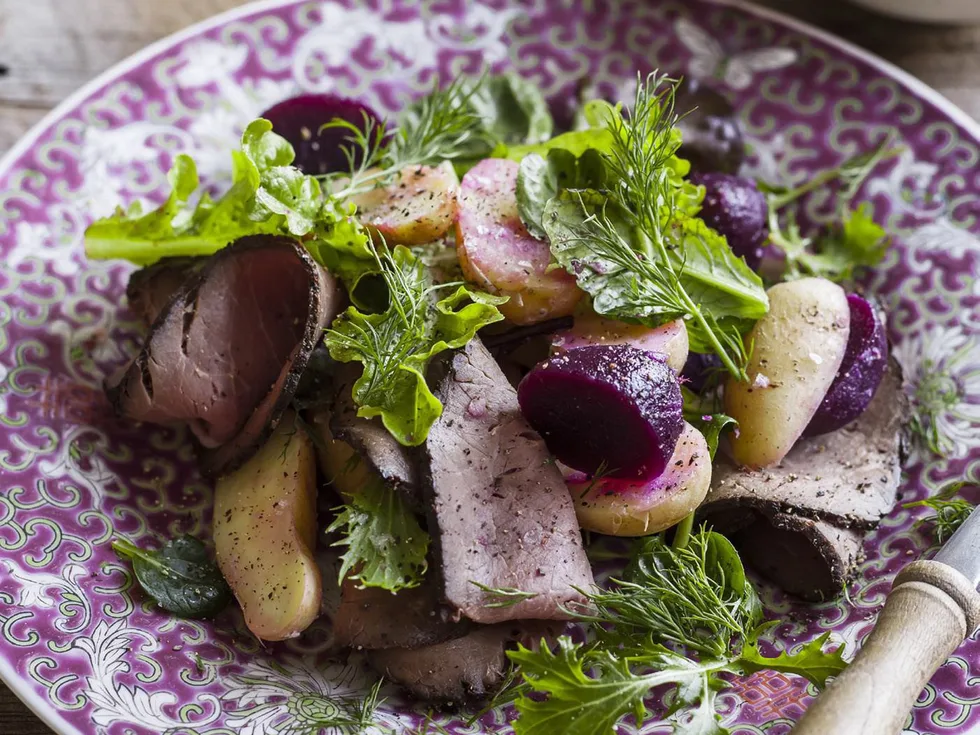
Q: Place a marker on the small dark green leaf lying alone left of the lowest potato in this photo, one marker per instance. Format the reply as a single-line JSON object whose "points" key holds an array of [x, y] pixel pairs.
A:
{"points": [[180, 576]]}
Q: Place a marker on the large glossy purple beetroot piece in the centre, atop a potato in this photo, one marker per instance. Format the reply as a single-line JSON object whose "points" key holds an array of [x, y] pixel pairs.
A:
{"points": [[612, 408]]}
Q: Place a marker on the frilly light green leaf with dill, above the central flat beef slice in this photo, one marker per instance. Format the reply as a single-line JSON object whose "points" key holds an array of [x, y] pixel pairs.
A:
{"points": [[396, 346]]}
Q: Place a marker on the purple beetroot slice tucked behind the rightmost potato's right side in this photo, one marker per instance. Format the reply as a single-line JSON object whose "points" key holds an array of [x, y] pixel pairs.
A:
{"points": [[860, 373]]}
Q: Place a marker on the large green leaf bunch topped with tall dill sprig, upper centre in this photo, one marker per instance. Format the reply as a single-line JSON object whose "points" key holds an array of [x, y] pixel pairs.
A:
{"points": [[627, 229]]}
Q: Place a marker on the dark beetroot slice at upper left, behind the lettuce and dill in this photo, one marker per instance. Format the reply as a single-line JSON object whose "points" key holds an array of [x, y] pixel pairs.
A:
{"points": [[299, 120]]}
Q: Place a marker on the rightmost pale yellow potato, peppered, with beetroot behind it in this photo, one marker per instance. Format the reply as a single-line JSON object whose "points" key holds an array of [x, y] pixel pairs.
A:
{"points": [[797, 349]]}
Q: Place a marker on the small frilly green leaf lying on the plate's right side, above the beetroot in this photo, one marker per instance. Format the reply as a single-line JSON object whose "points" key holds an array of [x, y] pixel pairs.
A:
{"points": [[859, 241]]}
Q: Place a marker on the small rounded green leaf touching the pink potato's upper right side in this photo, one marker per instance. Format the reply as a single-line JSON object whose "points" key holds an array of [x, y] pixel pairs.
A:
{"points": [[540, 179]]}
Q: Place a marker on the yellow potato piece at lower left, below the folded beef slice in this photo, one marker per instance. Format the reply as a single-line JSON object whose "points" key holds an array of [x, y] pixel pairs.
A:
{"points": [[265, 532]]}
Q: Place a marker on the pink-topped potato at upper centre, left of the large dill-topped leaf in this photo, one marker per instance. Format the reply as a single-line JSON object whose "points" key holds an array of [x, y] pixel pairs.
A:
{"points": [[497, 253]]}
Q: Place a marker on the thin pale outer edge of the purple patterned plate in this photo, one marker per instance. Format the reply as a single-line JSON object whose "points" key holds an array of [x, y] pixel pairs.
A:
{"points": [[8, 674]]}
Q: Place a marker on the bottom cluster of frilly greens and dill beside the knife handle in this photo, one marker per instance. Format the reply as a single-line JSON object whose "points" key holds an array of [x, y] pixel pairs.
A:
{"points": [[681, 617]]}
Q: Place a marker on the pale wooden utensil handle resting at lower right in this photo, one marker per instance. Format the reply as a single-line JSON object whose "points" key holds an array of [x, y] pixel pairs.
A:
{"points": [[929, 612]]}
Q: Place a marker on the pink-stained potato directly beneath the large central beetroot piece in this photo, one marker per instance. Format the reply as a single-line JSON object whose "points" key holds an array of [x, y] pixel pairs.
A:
{"points": [[628, 508]]}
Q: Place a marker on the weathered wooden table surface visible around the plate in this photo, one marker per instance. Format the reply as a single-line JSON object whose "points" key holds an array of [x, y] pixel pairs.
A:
{"points": [[49, 48]]}
